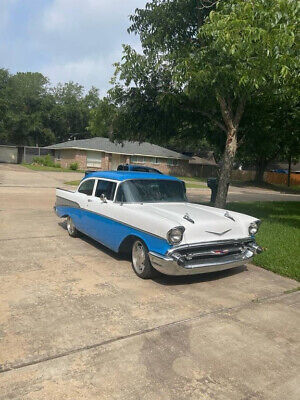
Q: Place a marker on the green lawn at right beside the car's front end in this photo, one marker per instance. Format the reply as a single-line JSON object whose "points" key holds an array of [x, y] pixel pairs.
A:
{"points": [[279, 235]]}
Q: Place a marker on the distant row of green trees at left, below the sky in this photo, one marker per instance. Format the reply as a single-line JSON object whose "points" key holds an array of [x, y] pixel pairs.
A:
{"points": [[32, 113]]}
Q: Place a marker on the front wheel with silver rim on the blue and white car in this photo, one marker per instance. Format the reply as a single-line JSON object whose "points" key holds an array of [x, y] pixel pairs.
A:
{"points": [[141, 264]]}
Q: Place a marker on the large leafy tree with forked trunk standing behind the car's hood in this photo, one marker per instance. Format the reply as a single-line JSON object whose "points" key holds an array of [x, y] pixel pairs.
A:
{"points": [[218, 54]]}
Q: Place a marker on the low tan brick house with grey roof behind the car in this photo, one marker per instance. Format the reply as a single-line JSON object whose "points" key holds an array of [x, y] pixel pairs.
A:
{"points": [[102, 154]]}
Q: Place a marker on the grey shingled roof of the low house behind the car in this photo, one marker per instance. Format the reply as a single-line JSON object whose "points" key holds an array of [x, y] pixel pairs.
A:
{"points": [[126, 147]]}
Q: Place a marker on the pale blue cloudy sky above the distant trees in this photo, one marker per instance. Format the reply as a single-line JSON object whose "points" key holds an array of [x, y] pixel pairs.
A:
{"points": [[66, 40]]}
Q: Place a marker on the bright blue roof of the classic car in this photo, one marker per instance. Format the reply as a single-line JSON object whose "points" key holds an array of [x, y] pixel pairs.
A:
{"points": [[125, 175]]}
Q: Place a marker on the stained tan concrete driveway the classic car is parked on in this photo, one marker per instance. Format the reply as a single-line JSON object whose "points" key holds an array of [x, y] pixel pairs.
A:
{"points": [[76, 323]]}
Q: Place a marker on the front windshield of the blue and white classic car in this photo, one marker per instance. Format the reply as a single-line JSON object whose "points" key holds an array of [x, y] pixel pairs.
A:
{"points": [[151, 190]]}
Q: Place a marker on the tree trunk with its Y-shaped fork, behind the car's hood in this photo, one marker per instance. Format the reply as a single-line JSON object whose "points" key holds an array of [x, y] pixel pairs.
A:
{"points": [[231, 123]]}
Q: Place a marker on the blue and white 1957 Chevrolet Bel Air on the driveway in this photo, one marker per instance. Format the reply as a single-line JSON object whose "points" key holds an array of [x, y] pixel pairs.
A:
{"points": [[149, 216]]}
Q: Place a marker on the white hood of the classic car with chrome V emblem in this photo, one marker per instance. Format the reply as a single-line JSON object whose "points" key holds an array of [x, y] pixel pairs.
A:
{"points": [[202, 223]]}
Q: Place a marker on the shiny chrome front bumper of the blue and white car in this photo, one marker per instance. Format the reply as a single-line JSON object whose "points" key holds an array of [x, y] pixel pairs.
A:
{"points": [[203, 260]]}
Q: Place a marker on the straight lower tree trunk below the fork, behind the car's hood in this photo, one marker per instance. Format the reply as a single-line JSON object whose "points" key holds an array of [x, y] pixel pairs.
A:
{"points": [[226, 168]]}
